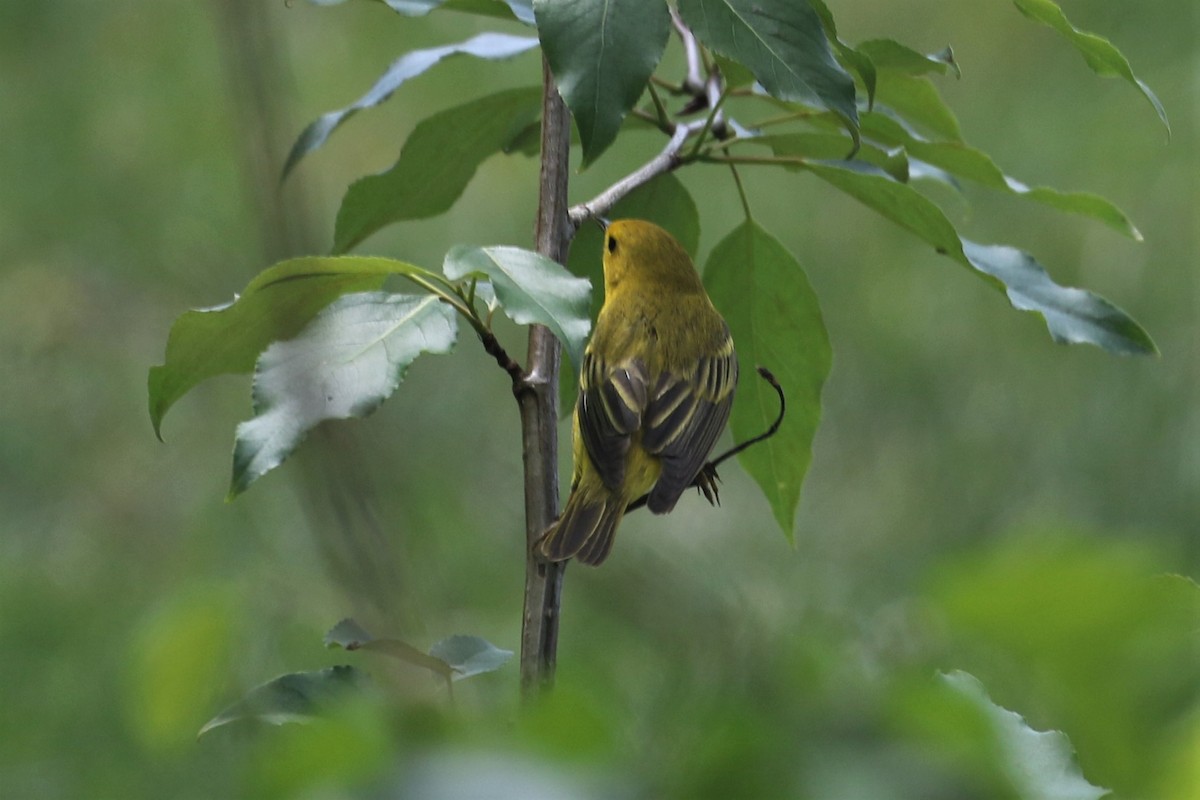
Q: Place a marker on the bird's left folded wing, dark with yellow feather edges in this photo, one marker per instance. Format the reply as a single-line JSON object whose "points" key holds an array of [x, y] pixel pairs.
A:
{"points": [[613, 399]]}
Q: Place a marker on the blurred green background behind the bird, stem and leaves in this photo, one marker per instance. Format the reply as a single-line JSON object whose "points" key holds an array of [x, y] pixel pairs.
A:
{"points": [[980, 498]]}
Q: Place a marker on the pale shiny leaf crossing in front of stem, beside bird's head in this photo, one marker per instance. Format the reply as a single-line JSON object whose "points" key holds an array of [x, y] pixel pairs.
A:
{"points": [[531, 290]]}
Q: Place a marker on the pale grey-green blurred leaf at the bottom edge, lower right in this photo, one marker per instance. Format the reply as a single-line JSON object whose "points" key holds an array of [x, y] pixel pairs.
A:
{"points": [[1041, 766]]}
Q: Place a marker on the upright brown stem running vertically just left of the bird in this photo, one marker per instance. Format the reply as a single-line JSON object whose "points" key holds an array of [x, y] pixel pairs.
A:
{"points": [[538, 399]]}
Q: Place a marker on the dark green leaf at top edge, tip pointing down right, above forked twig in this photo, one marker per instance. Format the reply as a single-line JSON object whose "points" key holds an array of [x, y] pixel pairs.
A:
{"points": [[783, 43]]}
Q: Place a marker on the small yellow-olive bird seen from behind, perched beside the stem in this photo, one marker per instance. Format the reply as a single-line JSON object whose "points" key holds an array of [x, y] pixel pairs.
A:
{"points": [[656, 390]]}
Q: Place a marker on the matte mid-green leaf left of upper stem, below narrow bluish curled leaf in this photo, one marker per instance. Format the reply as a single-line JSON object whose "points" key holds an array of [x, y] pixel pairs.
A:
{"points": [[436, 164]]}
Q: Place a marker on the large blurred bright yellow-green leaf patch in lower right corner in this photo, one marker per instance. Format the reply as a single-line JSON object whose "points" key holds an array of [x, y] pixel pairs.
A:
{"points": [[1088, 631]]}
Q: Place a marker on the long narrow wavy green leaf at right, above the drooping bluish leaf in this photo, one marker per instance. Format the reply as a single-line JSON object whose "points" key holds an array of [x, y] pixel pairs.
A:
{"points": [[965, 161]]}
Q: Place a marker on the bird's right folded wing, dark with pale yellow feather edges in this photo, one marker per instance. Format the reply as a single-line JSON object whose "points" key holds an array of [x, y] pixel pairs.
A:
{"points": [[685, 417]]}
